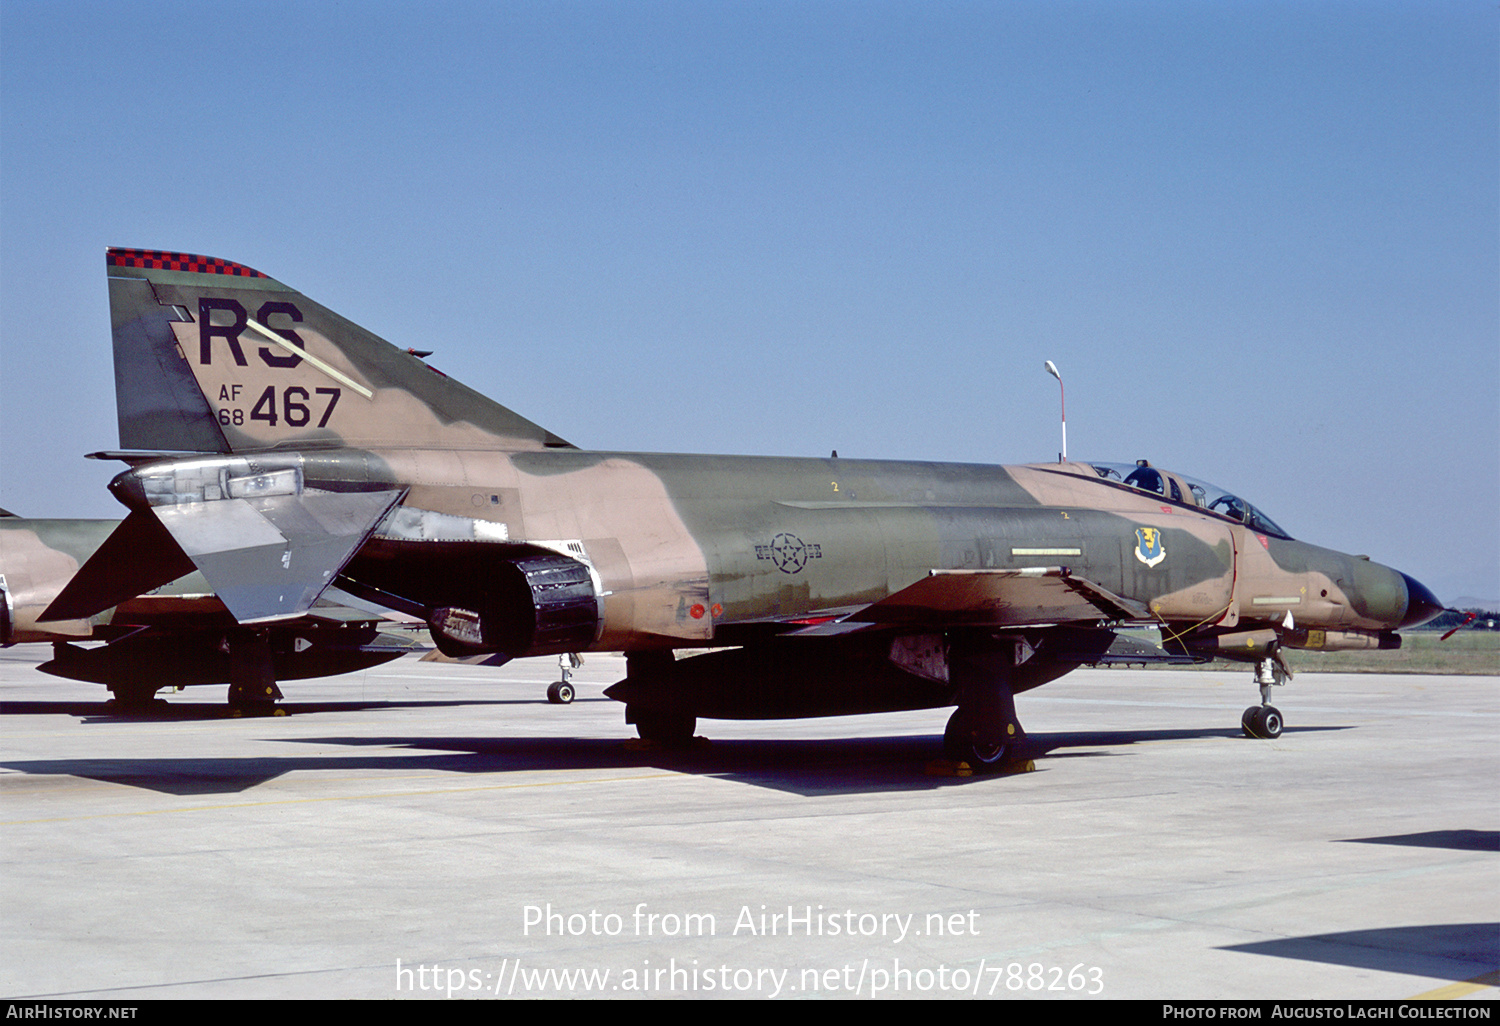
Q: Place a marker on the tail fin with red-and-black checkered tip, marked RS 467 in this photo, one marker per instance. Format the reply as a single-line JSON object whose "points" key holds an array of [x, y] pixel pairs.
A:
{"points": [[217, 358]]}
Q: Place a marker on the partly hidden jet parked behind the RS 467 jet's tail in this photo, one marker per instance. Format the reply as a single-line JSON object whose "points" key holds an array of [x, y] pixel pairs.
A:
{"points": [[169, 638]]}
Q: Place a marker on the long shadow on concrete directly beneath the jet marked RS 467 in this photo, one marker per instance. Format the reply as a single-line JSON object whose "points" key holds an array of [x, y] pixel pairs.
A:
{"points": [[809, 767]]}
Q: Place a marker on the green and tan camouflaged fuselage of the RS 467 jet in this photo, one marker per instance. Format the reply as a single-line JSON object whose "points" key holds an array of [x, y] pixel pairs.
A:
{"points": [[685, 548]]}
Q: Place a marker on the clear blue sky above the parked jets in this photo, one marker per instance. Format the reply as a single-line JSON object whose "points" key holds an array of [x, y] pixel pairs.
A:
{"points": [[1259, 239]]}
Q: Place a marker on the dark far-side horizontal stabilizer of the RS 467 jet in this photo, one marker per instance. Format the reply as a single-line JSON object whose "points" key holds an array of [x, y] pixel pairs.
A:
{"points": [[136, 559]]}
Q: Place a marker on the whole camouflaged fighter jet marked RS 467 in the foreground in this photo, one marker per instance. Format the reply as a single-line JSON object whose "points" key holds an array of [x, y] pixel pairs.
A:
{"points": [[281, 449]]}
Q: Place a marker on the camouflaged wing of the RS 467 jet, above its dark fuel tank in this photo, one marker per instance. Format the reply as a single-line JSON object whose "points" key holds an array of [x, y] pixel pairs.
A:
{"points": [[1028, 598]]}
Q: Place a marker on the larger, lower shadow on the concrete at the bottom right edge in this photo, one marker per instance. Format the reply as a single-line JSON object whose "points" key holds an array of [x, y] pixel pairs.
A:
{"points": [[1460, 952]]}
